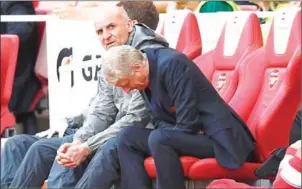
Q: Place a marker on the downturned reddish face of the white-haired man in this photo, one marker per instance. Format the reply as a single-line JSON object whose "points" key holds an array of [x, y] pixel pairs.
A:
{"points": [[138, 80]]}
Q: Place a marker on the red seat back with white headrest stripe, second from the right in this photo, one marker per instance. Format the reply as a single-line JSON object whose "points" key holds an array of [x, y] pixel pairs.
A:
{"points": [[240, 36]]}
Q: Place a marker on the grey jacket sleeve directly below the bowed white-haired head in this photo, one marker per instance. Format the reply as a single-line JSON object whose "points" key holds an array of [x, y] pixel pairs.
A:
{"points": [[136, 115]]}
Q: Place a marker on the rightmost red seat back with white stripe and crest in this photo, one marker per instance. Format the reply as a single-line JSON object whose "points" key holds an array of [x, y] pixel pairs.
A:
{"points": [[280, 94]]}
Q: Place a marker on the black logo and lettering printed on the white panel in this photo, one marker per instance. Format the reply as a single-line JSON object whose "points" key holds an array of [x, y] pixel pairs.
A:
{"points": [[87, 73]]}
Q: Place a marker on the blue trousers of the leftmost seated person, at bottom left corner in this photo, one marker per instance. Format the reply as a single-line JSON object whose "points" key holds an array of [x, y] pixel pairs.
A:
{"points": [[26, 160]]}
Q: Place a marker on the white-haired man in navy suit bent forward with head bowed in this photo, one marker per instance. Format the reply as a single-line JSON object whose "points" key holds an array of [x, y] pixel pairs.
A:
{"points": [[190, 117]]}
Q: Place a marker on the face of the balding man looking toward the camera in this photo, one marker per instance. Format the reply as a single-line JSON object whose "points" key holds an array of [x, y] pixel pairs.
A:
{"points": [[113, 29]]}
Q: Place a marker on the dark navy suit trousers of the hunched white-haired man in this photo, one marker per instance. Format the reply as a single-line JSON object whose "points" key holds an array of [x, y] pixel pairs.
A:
{"points": [[165, 145]]}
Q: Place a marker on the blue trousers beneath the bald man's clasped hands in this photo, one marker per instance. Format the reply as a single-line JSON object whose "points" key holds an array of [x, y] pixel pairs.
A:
{"points": [[99, 171]]}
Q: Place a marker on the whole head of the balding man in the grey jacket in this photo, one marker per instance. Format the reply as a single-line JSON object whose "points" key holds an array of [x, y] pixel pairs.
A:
{"points": [[112, 25]]}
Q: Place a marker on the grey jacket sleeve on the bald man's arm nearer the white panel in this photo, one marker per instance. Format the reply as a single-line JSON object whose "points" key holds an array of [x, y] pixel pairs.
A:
{"points": [[100, 115]]}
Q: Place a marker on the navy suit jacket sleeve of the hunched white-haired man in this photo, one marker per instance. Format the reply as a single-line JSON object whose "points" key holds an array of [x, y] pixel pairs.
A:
{"points": [[180, 86]]}
